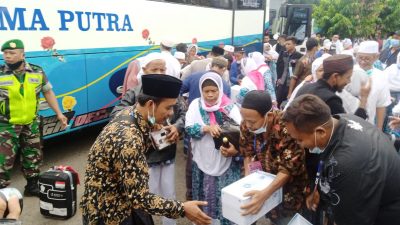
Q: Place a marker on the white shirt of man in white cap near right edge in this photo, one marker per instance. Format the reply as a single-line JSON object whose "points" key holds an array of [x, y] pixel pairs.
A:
{"points": [[379, 95]]}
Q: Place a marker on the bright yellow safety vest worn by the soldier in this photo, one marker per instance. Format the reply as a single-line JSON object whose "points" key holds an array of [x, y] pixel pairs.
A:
{"points": [[22, 108]]}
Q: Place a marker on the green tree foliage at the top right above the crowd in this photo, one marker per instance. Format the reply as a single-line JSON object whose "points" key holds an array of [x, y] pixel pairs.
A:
{"points": [[357, 18]]}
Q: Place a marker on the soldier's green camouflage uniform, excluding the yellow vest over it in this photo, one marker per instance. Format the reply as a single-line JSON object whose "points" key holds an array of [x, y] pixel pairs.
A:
{"points": [[24, 137]]}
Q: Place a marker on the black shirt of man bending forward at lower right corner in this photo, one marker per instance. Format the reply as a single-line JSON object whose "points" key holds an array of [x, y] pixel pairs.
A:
{"points": [[361, 175]]}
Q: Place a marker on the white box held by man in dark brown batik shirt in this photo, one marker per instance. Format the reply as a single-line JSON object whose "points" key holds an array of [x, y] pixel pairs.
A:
{"points": [[232, 197]]}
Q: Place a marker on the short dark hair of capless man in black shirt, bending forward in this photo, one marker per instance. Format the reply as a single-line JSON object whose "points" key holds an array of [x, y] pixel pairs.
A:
{"points": [[306, 112]]}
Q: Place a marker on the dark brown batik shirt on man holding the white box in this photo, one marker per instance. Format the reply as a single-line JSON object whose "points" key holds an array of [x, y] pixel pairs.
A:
{"points": [[279, 153]]}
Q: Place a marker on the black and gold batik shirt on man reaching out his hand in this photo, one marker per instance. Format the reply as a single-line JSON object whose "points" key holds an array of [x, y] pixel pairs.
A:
{"points": [[116, 177]]}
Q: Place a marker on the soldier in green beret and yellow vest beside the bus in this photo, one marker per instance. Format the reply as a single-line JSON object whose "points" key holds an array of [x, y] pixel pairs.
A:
{"points": [[20, 85]]}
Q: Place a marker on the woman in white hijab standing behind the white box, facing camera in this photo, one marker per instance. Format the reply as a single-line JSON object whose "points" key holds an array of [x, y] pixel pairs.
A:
{"points": [[212, 169]]}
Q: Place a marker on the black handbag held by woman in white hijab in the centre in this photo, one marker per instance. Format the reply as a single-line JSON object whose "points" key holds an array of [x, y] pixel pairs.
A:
{"points": [[230, 130]]}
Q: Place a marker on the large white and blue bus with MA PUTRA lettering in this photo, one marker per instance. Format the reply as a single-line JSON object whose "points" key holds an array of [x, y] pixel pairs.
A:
{"points": [[85, 46]]}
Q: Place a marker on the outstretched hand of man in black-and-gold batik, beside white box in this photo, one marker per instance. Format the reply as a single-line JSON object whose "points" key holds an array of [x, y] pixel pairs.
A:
{"points": [[194, 213]]}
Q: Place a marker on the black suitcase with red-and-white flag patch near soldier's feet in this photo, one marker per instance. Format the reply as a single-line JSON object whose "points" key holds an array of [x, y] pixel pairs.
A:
{"points": [[58, 192]]}
